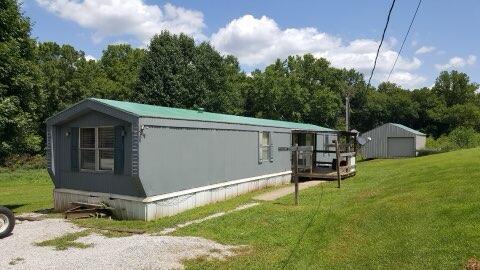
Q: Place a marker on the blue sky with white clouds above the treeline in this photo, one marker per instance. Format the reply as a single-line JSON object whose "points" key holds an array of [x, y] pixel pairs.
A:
{"points": [[444, 35]]}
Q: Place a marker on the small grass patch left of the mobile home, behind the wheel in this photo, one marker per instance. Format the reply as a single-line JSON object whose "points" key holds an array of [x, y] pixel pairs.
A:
{"points": [[25, 190]]}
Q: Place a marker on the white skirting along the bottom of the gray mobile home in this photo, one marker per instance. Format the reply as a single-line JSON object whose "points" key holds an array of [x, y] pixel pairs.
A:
{"points": [[151, 208]]}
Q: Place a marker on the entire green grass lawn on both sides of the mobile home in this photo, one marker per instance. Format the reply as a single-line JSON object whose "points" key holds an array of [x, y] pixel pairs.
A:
{"points": [[421, 213]]}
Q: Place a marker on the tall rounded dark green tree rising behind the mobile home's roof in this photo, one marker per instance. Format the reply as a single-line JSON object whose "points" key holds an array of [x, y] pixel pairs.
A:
{"points": [[178, 73]]}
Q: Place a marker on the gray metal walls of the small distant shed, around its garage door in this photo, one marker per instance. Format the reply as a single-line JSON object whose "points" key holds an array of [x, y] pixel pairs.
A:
{"points": [[377, 147]]}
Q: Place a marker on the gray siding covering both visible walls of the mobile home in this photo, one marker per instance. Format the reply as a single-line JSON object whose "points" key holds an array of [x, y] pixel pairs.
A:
{"points": [[161, 155]]}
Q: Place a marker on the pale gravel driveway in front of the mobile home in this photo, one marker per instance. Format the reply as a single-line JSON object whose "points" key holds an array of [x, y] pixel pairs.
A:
{"points": [[18, 251]]}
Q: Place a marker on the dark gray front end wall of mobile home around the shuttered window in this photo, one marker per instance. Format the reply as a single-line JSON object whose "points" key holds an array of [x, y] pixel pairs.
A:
{"points": [[106, 182]]}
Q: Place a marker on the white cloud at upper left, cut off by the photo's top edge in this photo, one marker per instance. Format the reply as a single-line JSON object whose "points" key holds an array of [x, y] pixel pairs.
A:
{"points": [[127, 17]]}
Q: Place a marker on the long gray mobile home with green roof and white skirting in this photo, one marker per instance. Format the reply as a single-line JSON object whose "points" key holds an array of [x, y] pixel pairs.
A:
{"points": [[150, 161]]}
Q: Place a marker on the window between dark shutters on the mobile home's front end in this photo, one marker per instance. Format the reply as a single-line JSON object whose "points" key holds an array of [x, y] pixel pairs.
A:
{"points": [[96, 148]]}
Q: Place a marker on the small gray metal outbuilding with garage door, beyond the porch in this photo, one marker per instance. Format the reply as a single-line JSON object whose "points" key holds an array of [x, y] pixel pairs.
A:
{"points": [[393, 141]]}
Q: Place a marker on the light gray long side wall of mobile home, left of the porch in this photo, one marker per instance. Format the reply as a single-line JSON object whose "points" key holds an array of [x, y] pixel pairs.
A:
{"points": [[177, 155]]}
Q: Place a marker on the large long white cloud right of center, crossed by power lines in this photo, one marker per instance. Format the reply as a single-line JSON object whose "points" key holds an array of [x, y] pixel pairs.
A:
{"points": [[259, 41]]}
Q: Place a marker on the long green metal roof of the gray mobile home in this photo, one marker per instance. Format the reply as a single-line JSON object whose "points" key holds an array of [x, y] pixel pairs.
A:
{"points": [[145, 110]]}
